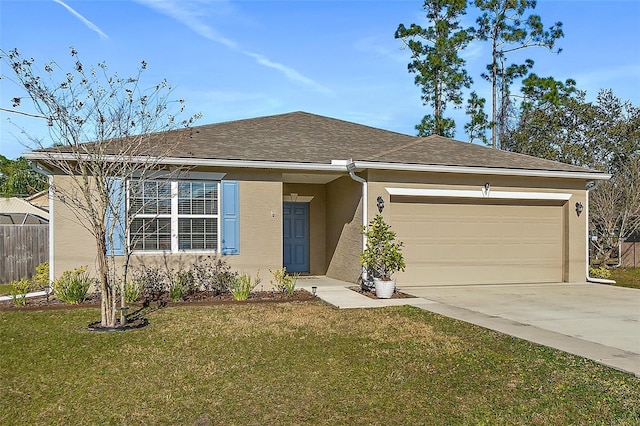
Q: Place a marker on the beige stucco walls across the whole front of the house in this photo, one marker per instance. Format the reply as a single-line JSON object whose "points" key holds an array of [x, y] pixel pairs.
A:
{"points": [[335, 220]]}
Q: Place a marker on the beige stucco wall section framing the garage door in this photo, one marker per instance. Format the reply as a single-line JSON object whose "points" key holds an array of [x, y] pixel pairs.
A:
{"points": [[573, 227]]}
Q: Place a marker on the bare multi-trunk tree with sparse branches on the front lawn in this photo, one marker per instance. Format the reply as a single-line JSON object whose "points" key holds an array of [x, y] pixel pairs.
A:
{"points": [[128, 128]]}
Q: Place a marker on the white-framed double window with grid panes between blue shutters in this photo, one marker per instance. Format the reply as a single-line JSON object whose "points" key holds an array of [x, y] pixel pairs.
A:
{"points": [[174, 215]]}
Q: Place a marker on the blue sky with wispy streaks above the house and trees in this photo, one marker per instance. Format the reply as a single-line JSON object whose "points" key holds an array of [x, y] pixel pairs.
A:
{"points": [[239, 59]]}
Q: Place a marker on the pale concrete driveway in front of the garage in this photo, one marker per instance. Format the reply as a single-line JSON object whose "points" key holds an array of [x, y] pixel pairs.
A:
{"points": [[594, 321]]}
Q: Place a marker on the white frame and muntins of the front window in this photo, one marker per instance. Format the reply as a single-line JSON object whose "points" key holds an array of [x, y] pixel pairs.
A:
{"points": [[175, 217]]}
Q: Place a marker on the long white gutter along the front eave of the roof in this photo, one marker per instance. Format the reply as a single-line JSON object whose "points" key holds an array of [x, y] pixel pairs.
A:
{"points": [[335, 165]]}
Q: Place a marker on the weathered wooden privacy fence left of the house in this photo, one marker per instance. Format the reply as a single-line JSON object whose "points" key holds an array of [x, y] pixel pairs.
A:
{"points": [[22, 248]]}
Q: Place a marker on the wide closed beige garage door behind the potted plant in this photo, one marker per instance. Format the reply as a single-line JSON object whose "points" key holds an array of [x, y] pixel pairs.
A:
{"points": [[475, 243]]}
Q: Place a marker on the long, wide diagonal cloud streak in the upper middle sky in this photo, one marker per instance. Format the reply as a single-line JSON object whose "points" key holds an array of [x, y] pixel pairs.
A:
{"points": [[190, 15]]}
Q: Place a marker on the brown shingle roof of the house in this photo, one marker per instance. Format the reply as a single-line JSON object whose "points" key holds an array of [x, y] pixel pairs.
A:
{"points": [[301, 137]]}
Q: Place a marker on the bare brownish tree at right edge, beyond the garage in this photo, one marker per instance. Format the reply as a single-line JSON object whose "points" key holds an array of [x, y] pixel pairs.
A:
{"points": [[614, 209]]}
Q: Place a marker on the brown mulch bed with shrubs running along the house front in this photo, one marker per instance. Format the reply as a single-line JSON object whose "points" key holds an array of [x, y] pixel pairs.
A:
{"points": [[203, 298]]}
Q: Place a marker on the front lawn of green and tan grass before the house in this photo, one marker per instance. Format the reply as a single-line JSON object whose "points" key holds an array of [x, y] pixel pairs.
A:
{"points": [[295, 363]]}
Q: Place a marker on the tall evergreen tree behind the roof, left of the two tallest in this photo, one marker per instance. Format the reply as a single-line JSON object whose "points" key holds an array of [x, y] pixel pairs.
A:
{"points": [[439, 69]]}
